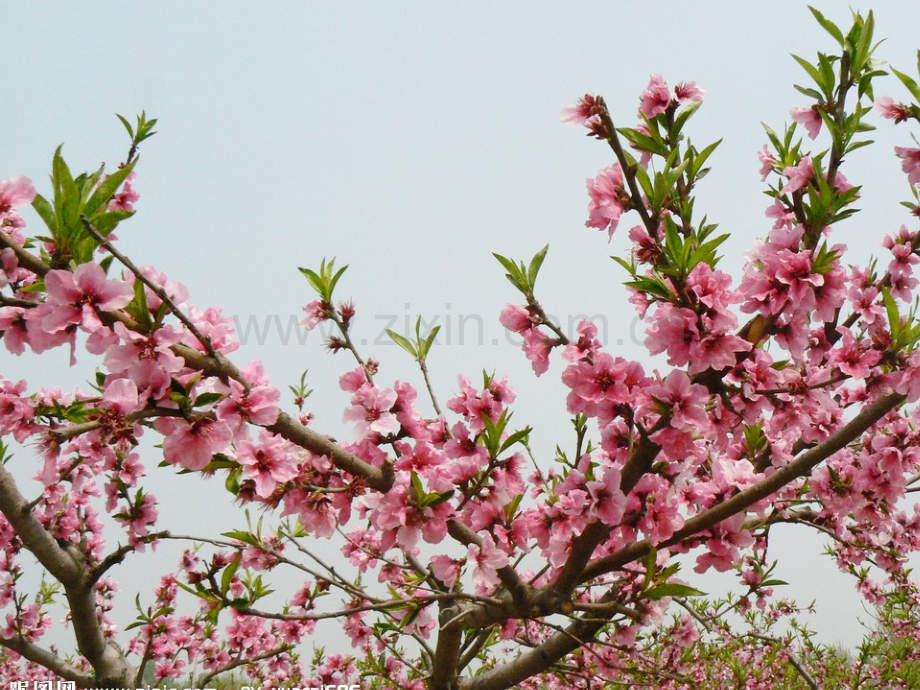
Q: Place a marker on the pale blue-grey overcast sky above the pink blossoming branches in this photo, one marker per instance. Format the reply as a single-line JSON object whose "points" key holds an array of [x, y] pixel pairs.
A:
{"points": [[411, 140]]}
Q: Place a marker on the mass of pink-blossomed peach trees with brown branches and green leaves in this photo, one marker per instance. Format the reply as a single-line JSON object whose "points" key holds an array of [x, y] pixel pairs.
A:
{"points": [[785, 396]]}
